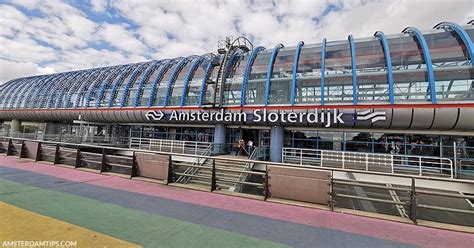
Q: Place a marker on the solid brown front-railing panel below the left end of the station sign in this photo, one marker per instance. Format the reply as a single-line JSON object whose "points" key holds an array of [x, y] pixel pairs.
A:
{"points": [[155, 166]]}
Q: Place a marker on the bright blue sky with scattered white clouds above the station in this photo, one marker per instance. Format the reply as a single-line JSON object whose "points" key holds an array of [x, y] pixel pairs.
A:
{"points": [[48, 36]]}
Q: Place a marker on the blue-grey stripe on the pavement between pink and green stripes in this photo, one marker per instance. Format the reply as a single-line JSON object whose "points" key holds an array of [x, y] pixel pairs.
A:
{"points": [[264, 228]]}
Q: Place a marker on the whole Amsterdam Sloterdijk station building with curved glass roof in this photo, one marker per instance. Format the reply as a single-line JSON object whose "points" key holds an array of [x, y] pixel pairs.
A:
{"points": [[410, 93]]}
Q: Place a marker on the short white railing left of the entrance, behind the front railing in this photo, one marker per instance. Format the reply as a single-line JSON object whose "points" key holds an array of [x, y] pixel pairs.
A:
{"points": [[174, 146]]}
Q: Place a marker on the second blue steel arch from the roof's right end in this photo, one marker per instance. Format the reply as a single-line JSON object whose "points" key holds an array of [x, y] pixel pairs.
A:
{"points": [[427, 57]]}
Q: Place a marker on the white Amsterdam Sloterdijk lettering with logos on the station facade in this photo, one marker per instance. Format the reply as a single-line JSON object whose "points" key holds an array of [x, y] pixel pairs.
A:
{"points": [[326, 117]]}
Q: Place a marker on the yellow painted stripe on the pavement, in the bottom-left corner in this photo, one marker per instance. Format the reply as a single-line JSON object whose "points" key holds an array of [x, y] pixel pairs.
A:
{"points": [[17, 224]]}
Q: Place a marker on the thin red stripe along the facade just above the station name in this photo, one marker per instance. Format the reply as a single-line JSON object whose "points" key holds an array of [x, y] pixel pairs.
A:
{"points": [[272, 107]]}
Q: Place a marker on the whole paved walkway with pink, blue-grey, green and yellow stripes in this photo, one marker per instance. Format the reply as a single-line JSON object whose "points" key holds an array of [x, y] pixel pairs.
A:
{"points": [[145, 214]]}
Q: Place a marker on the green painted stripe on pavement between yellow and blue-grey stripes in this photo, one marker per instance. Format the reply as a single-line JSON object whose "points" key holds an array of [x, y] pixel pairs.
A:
{"points": [[135, 226]]}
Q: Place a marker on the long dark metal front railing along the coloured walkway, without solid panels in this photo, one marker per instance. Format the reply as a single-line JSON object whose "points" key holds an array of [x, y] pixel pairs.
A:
{"points": [[410, 196]]}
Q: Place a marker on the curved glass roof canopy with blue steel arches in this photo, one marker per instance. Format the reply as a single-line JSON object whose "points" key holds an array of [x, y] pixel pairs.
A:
{"points": [[412, 67]]}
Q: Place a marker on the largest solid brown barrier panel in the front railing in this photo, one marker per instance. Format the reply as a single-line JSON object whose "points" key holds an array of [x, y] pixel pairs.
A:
{"points": [[299, 184]]}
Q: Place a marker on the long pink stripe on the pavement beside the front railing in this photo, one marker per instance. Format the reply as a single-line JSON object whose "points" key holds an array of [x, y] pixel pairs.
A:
{"points": [[349, 223]]}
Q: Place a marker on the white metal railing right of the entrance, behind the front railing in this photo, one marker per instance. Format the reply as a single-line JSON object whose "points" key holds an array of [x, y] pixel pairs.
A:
{"points": [[389, 163]]}
